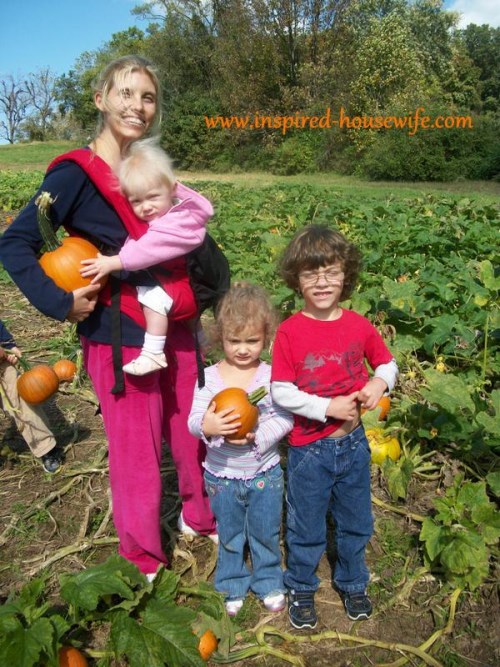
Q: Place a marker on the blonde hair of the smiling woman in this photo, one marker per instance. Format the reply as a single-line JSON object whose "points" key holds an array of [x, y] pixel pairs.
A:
{"points": [[115, 74]]}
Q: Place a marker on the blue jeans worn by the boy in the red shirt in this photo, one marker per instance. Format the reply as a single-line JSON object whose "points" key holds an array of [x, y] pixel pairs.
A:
{"points": [[329, 474]]}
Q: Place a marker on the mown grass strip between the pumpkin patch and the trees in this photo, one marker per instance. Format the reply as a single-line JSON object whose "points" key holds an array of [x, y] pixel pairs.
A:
{"points": [[37, 155]]}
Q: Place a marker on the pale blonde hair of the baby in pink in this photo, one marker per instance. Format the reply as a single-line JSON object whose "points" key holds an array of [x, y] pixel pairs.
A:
{"points": [[145, 166]]}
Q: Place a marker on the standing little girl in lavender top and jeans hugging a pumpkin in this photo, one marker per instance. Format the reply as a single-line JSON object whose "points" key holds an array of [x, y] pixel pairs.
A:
{"points": [[243, 478]]}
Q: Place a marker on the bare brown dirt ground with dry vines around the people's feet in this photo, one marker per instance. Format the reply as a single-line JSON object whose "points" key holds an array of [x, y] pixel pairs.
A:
{"points": [[75, 530]]}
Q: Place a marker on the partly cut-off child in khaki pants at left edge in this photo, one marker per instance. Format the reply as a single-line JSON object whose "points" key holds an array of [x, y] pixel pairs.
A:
{"points": [[30, 420]]}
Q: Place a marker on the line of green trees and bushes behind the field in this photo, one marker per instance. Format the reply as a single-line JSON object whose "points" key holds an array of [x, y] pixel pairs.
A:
{"points": [[297, 58]]}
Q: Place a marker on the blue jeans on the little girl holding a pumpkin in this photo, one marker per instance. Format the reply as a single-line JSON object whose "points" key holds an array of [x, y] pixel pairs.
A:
{"points": [[248, 511]]}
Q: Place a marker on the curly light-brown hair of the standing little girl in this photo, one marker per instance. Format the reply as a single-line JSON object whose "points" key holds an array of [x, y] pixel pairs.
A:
{"points": [[243, 306]]}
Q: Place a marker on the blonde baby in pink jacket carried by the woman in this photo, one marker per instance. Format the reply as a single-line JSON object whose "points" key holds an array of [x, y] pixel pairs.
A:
{"points": [[148, 182]]}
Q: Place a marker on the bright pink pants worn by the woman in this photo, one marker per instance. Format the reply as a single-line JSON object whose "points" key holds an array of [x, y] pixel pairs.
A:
{"points": [[151, 407]]}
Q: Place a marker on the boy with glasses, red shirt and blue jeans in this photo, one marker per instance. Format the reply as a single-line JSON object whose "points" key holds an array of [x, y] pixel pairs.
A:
{"points": [[319, 374]]}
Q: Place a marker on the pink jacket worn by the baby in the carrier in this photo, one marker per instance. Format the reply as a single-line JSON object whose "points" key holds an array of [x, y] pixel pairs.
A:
{"points": [[179, 231]]}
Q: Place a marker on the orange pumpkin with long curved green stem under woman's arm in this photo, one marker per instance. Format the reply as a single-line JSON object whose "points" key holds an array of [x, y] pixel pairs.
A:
{"points": [[62, 259]]}
